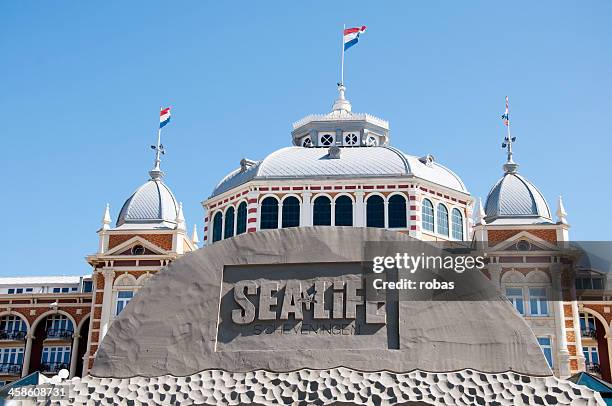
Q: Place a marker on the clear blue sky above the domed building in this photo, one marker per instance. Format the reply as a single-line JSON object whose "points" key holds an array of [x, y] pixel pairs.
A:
{"points": [[82, 83]]}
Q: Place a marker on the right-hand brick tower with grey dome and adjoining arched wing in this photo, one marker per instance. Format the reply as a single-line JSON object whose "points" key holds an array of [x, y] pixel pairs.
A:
{"points": [[544, 280]]}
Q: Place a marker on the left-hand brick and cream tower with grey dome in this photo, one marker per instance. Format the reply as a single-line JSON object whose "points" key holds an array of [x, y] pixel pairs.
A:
{"points": [[149, 233]]}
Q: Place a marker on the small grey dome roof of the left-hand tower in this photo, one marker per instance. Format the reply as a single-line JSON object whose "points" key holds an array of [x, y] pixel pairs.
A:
{"points": [[152, 205]]}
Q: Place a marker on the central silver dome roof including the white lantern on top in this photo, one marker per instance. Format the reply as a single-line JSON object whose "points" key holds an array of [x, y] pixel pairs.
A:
{"points": [[340, 145]]}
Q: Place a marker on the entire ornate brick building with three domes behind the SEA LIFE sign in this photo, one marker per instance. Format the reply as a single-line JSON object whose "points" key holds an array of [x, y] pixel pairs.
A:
{"points": [[341, 170]]}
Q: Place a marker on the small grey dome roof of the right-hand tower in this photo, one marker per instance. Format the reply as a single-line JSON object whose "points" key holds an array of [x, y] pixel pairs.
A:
{"points": [[514, 197]]}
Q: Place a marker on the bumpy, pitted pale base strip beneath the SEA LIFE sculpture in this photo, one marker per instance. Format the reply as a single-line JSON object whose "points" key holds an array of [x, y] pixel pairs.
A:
{"points": [[328, 387]]}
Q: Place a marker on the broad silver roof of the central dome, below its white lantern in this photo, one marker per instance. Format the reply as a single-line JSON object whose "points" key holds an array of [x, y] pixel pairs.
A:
{"points": [[360, 162]]}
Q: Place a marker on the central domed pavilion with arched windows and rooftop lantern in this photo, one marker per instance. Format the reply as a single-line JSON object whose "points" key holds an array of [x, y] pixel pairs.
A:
{"points": [[341, 171]]}
